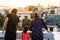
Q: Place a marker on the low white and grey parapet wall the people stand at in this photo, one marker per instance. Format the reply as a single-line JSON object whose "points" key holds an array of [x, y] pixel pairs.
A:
{"points": [[46, 35]]}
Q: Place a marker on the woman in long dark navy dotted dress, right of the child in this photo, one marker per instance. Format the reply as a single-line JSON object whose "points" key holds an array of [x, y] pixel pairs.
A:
{"points": [[36, 28]]}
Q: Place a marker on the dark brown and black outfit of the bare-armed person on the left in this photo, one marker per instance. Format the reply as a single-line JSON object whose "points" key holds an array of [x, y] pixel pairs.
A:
{"points": [[10, 33]]}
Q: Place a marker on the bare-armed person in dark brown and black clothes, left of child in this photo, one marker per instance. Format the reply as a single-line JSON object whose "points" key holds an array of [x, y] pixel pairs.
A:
{"points": [[11, 25]]}
